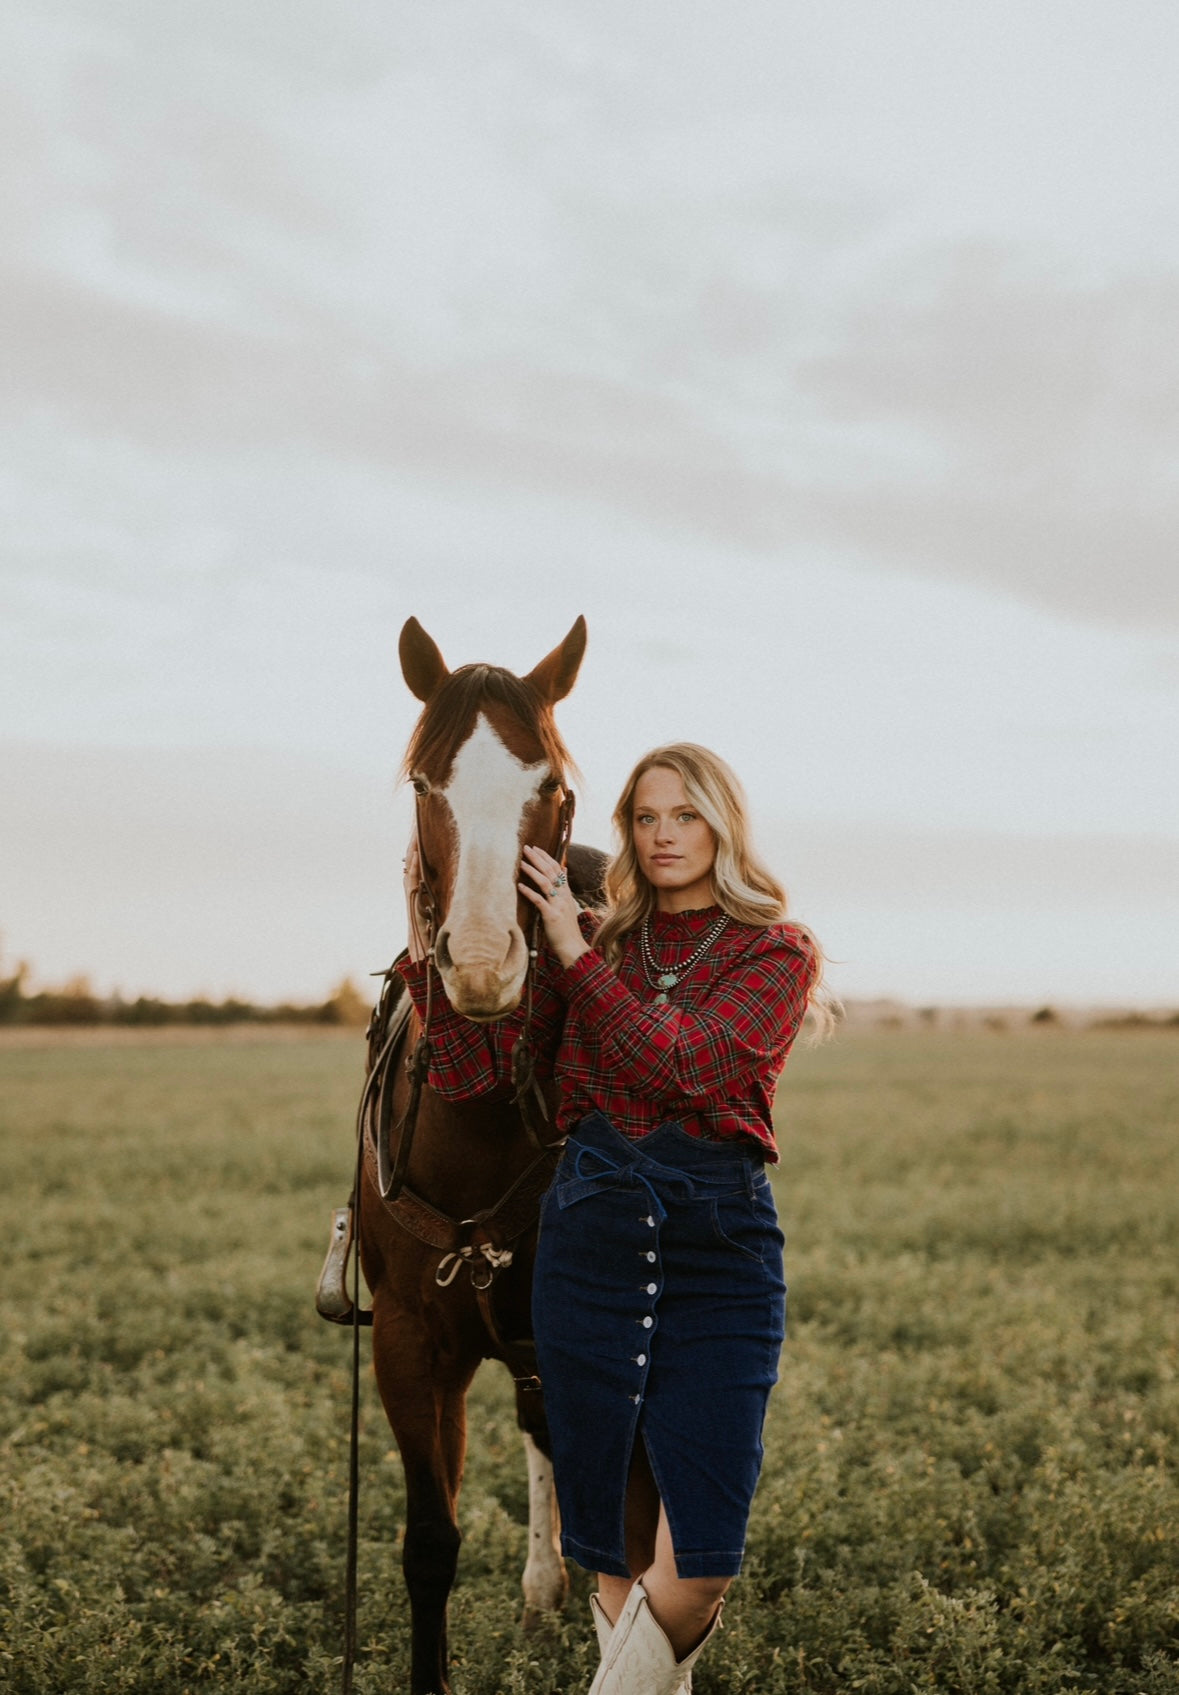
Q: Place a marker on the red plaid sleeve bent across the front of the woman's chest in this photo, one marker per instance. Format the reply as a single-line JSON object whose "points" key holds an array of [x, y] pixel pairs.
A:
{"points": [[656, 1052]]}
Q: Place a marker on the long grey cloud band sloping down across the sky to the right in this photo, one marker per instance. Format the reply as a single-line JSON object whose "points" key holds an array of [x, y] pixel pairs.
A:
{"points": [[973, 421]]}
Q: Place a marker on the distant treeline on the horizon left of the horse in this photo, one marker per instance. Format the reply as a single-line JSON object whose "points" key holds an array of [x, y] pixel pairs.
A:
{"points": [[77, 1004]]}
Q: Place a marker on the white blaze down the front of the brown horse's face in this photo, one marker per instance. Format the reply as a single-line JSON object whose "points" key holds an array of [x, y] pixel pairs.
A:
{"points": [[487, 794]]}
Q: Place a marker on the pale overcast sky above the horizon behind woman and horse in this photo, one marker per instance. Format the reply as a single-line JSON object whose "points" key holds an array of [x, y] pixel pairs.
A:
{"points": [[828, 358]]}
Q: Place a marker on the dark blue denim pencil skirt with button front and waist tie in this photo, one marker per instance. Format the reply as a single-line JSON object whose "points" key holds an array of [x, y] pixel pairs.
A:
{"points": [[660, 1313]]}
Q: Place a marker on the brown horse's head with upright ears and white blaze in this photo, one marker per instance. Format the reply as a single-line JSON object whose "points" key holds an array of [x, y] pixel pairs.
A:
{"points": [[490, 774]]}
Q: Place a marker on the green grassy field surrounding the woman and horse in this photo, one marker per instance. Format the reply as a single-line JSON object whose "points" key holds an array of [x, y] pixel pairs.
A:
{"points": [[970, 1470]]}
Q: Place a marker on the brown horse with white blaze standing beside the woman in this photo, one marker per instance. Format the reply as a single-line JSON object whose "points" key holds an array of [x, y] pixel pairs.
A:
{"points": [[450, 1257]]}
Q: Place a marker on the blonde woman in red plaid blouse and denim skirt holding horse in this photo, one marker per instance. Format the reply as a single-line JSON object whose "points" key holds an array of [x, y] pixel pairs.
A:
{"points": [[658, 1294]]}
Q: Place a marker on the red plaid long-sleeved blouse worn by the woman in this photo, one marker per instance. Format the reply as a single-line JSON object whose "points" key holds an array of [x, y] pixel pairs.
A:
{"points": [[711, 1059]]}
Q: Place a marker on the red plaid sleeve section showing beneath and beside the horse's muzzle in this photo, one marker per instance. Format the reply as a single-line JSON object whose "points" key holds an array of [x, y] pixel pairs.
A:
{"points": [[473, 1060]]}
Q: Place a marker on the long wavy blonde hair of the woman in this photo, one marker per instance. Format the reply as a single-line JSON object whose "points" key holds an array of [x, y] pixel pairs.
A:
{"points": [[743, 886]]}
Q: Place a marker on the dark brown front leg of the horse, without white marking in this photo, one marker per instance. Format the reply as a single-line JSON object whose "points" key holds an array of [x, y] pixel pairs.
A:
{"points": [[429, 1425]]}
